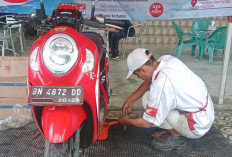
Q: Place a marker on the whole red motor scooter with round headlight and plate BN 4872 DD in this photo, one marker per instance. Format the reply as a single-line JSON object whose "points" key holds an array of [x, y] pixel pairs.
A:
{"points": [[68, 80]]}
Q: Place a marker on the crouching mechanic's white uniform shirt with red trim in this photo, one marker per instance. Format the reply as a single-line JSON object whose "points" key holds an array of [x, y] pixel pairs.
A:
{"points": [[175, 86]]}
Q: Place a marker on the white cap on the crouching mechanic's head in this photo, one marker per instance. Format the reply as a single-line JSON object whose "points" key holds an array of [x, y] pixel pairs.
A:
{"points": [[136, 59]]}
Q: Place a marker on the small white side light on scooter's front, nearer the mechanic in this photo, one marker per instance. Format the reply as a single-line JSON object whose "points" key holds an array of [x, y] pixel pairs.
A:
{"points": [[89, 62]]}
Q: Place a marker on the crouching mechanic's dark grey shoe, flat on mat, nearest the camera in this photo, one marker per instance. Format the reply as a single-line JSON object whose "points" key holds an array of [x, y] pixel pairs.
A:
{"points": [[169, 143]]}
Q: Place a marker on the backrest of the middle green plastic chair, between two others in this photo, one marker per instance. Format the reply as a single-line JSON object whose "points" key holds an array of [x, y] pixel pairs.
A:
{"points": [[200, 26]]}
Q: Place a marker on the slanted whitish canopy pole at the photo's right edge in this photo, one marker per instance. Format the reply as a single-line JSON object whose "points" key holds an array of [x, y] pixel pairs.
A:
{"points": [[226, 63]]}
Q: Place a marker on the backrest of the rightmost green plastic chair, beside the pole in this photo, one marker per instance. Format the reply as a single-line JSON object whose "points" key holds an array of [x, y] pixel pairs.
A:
{"points": [[218, 37]]}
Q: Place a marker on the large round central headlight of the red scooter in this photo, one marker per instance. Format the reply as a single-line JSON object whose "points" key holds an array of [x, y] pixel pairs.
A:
{"points": [[60, 53]]}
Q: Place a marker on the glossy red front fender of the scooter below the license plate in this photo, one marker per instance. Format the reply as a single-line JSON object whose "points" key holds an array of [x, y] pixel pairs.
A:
{"points": [[59, 123]]}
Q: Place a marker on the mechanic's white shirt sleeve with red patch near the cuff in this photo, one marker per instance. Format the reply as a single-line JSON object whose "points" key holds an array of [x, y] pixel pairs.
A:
{"points": [[161, 100]]}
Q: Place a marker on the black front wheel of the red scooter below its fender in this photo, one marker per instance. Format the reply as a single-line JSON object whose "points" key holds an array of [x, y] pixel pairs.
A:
{"points": [[69, 148]]}
